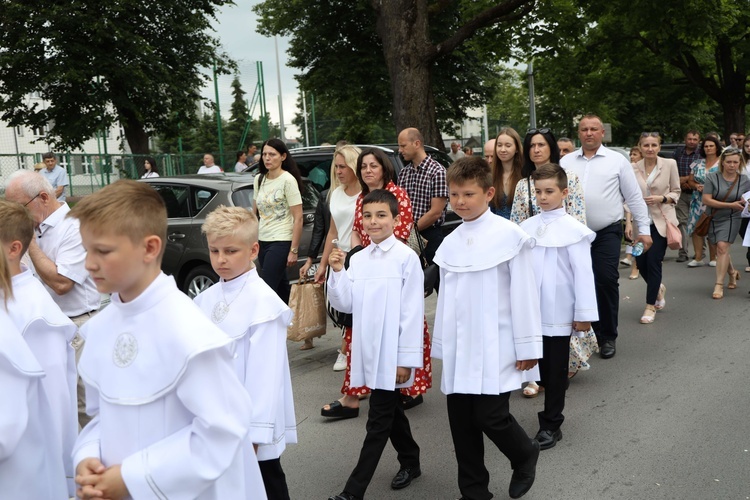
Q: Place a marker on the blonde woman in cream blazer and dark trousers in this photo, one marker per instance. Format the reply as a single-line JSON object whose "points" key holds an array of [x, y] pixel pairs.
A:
{"points": [[659, 180]]}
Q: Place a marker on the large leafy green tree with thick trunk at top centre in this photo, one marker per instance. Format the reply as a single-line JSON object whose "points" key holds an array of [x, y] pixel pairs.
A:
{"points": [[410, 59]]}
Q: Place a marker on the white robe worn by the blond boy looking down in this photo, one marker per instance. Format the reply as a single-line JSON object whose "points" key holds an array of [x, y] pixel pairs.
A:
{"points": [[257, 320]]}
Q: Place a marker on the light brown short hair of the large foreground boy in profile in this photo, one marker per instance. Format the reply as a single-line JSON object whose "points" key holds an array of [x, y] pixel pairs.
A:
{"points": [[125, 208]]}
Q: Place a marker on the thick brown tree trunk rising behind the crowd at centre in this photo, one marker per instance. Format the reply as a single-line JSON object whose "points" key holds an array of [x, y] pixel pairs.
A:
{"points": [[403, 27]]}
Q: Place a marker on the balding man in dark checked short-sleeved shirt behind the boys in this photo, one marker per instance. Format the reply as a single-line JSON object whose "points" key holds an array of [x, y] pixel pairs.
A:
{"points": [[424, 181]]}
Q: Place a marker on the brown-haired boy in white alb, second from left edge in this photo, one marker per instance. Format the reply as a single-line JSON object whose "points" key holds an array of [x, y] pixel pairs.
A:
{"points": [[46, 330]]}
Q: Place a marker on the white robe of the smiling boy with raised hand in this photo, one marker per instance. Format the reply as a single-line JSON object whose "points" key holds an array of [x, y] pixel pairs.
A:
{"points": [[383, 289]]}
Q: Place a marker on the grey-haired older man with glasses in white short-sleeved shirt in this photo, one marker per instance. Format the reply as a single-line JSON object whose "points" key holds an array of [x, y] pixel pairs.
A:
{"points": [[57, 255]]}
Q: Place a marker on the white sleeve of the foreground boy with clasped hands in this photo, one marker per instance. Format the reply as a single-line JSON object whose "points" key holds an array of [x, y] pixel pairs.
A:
{"points": [[189, 461]]}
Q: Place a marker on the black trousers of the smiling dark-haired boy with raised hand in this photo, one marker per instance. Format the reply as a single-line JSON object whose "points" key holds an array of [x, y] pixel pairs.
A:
{"points": [[385, 420]]}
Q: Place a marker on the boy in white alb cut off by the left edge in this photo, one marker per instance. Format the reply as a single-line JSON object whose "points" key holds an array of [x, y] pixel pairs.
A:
{"points": [[31, 464]]}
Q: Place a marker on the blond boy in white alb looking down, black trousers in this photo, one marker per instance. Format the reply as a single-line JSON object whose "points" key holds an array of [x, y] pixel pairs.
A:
{"points": [[251, 313]]}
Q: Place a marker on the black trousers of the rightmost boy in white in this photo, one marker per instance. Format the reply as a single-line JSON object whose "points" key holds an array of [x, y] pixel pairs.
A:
{"points": [[553, 370]]}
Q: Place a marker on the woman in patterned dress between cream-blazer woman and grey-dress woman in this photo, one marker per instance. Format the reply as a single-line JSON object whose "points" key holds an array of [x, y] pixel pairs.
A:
{"points": [[709, 153]]}
